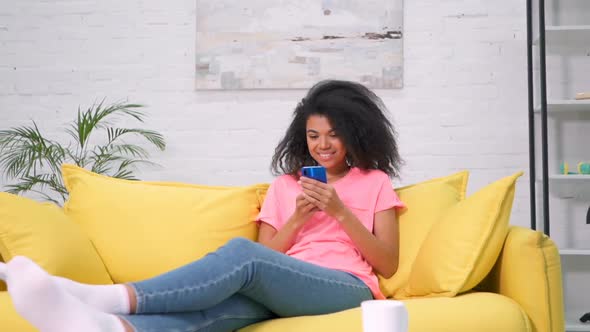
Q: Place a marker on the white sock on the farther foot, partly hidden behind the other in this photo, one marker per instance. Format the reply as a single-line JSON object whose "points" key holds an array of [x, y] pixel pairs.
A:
{"points": [[112, 299]]}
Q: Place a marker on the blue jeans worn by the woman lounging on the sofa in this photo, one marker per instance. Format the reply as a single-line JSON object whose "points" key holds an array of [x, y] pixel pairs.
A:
{"points": [[240, 284]]}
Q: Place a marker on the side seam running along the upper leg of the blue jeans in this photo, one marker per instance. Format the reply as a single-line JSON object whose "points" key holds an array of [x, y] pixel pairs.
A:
{"points": [[236, 269]]}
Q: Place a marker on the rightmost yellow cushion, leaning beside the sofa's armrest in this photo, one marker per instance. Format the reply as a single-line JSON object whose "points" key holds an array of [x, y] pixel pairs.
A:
{"points": [[462, 247]]}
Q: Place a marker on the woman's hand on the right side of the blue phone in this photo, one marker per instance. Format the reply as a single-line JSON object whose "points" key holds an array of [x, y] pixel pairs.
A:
{"points": [[323, 196]]}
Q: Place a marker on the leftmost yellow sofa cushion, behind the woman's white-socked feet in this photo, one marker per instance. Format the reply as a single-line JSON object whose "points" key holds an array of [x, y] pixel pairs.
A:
{"points": [[42, 232]]}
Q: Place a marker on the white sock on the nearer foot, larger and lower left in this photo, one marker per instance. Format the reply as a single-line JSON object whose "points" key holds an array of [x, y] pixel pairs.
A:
{"points": [[39, 300]]}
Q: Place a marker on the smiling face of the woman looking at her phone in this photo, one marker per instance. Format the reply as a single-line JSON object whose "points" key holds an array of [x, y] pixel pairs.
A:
{"points": [[324, 145]]}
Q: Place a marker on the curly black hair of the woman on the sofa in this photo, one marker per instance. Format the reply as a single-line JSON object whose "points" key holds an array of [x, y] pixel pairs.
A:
{"points": [[358, 117]]}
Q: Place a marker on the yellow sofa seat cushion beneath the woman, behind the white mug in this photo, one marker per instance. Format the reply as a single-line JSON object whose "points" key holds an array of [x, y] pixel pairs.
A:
{"points": [[468, 312]]}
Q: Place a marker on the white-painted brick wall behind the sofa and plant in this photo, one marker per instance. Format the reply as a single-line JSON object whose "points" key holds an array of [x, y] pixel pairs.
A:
{"points": [[463, 105]]}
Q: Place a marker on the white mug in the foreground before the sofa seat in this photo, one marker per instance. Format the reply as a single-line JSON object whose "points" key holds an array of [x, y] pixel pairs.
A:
{"points": [[384, 316]]}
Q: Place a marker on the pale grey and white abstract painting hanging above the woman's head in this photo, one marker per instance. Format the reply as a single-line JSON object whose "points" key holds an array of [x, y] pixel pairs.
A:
{"points": [[292, 44]]}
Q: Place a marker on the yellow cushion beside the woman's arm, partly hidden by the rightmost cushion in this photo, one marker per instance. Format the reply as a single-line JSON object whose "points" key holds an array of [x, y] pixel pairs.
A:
{"points": [[425, 203]]}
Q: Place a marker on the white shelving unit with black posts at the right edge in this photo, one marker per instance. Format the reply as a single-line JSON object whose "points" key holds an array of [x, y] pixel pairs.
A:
{"points": [[564, 61]]}
